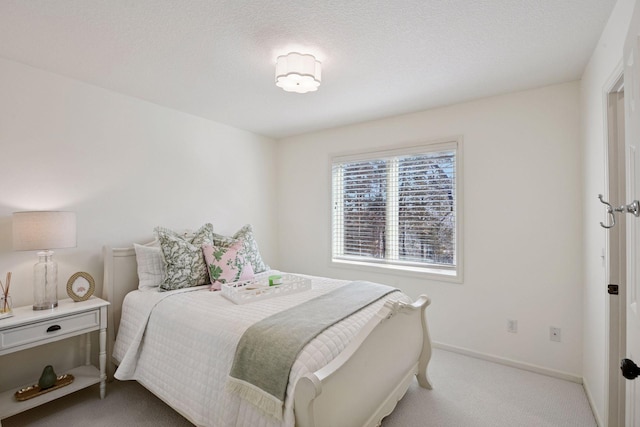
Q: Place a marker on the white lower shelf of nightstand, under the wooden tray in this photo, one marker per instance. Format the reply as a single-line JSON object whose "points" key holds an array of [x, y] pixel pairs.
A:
{"points": [[84, 376]]}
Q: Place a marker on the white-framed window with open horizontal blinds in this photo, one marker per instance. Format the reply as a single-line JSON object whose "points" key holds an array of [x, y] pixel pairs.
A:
{"points": [[399, 209]]}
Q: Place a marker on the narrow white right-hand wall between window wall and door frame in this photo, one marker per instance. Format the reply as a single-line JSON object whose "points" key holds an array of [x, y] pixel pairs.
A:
{"points": [[601, 72]]}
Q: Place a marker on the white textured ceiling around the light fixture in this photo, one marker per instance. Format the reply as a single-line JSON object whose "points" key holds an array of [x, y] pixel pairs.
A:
{"points": [[215, 58]]}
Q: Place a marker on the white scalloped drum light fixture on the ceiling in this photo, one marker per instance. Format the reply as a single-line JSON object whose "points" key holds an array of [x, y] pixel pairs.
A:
{"points": [[297, 72]]}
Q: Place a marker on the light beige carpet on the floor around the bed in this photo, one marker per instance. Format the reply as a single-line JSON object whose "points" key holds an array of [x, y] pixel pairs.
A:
{"points": [[467, 392]]}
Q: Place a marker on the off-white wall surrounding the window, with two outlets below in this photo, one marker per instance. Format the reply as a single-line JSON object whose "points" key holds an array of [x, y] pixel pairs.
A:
{"points": [[522, 240]]}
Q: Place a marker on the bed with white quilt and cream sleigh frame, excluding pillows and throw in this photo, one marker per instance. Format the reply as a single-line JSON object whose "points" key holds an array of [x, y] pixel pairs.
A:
{"points": [[353, 374]]}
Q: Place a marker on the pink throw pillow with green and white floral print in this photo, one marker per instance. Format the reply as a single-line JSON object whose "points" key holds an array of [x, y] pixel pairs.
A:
{"points": [[226, 264]]}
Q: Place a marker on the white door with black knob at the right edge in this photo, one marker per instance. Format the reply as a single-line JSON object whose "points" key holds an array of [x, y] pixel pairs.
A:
{"points": [[631, 60]]}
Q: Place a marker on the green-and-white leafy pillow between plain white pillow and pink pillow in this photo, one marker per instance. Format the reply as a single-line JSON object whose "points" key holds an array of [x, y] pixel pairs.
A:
{"points": [[184, 263]]}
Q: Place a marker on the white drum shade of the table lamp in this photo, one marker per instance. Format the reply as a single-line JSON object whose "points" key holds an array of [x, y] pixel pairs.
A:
{"points": [[44, 230]]}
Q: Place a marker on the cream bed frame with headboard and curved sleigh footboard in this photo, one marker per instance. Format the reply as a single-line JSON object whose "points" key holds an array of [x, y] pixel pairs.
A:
{"points": [[358, 388]]}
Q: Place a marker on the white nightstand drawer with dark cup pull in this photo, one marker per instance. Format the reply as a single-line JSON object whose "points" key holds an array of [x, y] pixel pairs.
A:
{"points": [[42, 331]]}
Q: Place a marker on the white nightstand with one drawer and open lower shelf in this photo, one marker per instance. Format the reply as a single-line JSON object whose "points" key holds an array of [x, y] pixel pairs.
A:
{"points": [[28, 328]]}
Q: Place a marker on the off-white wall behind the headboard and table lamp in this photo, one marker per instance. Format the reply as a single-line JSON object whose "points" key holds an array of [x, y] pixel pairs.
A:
{"points": [[124, 166]]}
